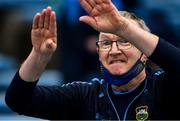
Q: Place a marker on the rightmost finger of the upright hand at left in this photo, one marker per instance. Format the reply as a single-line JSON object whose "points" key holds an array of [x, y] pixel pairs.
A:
{"points": [[52, 25]]}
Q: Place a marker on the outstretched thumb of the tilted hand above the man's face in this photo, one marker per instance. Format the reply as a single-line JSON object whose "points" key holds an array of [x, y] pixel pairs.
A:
{"points": [[89, 20]]}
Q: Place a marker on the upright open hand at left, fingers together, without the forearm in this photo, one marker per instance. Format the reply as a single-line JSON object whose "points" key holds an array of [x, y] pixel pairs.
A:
{"points": [[44, 32]]}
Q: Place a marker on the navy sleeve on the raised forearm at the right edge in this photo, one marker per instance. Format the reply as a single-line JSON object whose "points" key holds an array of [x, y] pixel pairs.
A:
{"points": [[167, 56]]}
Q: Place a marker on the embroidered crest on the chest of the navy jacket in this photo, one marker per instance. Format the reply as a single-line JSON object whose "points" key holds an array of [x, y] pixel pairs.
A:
{"points": [[141, 113]]}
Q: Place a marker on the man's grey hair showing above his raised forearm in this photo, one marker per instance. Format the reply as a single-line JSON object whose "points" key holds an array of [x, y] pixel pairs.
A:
{"points": [[132, 16]]}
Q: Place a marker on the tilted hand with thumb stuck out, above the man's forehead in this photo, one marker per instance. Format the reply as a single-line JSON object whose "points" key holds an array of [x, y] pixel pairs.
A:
{"points": [[104, 16]]}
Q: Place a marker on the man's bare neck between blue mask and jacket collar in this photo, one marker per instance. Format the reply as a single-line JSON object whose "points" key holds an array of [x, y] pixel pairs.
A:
{"points": [[133, 83]]}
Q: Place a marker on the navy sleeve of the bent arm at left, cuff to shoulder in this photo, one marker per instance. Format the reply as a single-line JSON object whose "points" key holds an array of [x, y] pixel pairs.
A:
{"points": [[50, 102]]}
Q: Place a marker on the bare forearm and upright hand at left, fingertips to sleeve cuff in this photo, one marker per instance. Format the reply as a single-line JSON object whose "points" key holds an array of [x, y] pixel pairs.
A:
{"points": [[44, 41]]}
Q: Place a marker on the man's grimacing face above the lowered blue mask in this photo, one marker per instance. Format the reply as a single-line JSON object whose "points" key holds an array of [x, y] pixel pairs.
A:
{"points": [[116, 60]]}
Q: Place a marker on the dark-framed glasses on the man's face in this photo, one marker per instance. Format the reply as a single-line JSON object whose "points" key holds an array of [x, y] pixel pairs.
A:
{"points": [[106, 45]]}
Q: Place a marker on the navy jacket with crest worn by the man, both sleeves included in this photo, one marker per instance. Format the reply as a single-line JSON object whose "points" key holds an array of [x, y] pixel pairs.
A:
{"points": [[155, 98]]}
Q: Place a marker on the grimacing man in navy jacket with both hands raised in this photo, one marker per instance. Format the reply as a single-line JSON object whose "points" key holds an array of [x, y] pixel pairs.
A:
{"points": [[128, 90]]}
